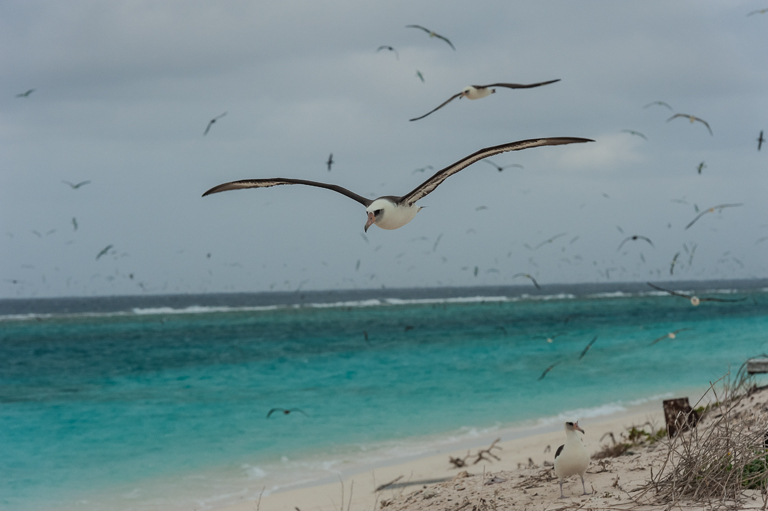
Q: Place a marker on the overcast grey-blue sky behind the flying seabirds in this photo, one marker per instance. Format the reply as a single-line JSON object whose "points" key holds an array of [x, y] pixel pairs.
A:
{"points": [[123, 91]]}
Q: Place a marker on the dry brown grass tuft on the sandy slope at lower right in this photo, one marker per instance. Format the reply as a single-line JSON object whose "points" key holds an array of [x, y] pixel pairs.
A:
{"points": [[715, 462]]}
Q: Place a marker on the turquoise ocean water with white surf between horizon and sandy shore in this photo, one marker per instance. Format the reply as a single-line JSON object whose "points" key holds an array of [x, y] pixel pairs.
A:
{"points": [[156, 403]]}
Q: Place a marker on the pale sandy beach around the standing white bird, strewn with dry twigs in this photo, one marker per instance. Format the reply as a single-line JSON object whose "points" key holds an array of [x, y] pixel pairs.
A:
{"points": [[522, 479]]}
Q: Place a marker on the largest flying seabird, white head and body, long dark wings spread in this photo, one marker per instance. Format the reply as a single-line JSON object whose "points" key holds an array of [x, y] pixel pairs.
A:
{"points": [[391, 212]]}
